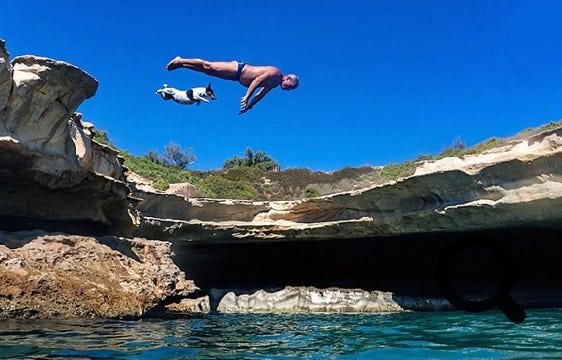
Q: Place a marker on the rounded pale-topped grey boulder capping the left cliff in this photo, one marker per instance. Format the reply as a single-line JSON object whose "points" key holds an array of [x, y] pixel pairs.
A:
{"points": [[44, 95]]}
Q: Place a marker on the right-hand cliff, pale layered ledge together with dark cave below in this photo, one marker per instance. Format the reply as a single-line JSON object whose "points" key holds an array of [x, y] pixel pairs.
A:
{"points": [[389, 237]]}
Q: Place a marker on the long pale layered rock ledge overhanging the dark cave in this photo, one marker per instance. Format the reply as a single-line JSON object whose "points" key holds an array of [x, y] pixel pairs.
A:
{"points": [[517, 185]]}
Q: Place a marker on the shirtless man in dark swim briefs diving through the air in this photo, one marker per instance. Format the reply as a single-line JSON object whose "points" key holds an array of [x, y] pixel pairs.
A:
{"points": [[252, 77]]}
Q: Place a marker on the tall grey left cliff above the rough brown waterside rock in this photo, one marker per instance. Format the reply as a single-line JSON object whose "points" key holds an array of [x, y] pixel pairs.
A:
{"points": [[50, 170]]}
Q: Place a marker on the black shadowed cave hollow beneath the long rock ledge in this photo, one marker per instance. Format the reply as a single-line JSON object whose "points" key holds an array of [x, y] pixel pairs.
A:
{"points": [[405, 265]]}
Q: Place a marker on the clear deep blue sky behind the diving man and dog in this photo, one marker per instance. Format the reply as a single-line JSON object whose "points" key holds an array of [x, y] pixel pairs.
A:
{"points": [[381, 81]]}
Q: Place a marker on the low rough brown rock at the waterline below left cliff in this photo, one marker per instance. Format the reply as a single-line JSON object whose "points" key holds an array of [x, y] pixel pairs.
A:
{"points": [[45, 275]]}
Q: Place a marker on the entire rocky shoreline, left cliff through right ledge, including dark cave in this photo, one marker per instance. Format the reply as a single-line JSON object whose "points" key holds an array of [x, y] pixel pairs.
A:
{"points": [[81, 237]]}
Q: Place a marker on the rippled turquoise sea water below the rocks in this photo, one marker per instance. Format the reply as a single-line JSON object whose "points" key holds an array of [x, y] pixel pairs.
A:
{"points": [[439, 335]]}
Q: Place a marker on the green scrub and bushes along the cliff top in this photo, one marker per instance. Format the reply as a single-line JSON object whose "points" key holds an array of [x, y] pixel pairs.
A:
{"points": [[256, 176]]}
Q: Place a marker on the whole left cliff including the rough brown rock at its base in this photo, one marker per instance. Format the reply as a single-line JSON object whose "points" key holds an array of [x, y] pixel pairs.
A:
{"points": [[55, 178]]}
